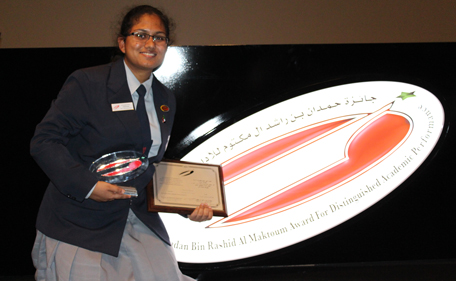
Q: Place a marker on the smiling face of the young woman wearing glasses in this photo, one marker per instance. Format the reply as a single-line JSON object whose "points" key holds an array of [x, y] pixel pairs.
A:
{"points": [[142, 58]]}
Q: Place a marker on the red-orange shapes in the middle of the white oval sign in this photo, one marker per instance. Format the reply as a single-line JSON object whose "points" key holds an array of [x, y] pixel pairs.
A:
{"points": [[366, 147]]}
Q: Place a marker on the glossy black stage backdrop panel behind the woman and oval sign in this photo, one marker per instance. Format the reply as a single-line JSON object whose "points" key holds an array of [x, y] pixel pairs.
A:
{"points": [[415, 222]]}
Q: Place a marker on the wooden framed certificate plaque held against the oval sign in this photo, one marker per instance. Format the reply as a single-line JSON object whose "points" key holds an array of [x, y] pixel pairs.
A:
{"points": [[180, 187]]}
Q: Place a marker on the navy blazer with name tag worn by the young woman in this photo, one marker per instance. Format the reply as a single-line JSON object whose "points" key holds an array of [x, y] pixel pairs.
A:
{"points": [[80, 127]]}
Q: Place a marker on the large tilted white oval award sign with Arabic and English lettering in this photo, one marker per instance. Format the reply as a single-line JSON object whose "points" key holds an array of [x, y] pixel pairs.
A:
{"points": [[305, 165]]}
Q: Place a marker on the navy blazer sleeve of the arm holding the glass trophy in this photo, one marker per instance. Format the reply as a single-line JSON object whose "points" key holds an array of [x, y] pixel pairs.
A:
{"points": [[66, 117]]}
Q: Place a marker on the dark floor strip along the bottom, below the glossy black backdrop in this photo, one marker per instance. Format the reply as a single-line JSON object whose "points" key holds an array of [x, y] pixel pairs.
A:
{"points": [[391, 271]]}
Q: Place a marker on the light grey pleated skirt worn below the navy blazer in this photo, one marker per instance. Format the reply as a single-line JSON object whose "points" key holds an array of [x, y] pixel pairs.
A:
{"points": [[142, 257]]}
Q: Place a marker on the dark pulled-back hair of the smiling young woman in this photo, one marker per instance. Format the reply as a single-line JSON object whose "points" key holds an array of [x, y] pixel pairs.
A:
{"points": [[132, 17]]}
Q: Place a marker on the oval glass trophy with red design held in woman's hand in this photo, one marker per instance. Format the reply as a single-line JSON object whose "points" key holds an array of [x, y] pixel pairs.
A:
{"points": [[121, 166]]}
